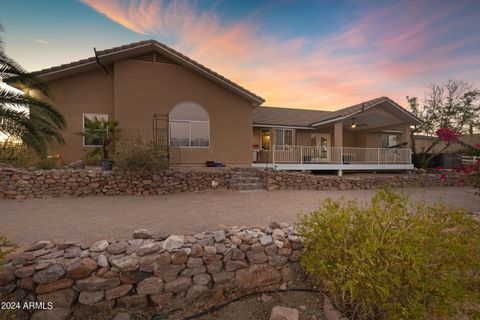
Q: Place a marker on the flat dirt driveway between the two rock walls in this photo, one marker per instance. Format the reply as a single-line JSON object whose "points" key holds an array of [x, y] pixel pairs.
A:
{"points": [[93, 218]]}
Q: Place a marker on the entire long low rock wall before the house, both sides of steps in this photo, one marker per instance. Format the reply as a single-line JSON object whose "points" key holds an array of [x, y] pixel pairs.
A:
{"points": [[23, 183]]}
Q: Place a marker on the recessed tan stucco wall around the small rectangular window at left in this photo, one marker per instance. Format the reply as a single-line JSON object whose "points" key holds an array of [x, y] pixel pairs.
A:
{"points": [[90, 92]]}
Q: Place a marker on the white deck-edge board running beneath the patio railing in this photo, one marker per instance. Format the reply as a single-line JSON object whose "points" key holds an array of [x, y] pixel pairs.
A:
{"points": [[344, 167]]}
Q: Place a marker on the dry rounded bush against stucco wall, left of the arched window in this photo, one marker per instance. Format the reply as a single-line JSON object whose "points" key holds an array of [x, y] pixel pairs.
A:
{"points": [[140, 156]]}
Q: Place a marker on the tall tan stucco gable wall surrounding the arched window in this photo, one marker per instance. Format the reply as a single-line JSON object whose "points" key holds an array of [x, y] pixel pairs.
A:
{"points": [[143, 88]]}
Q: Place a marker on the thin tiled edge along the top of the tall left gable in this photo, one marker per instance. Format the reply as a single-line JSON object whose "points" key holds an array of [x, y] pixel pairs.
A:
{"points": [[167, 49]]}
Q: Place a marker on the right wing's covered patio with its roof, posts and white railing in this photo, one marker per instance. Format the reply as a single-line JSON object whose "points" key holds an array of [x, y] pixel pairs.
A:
{"points": [[370, 136]]}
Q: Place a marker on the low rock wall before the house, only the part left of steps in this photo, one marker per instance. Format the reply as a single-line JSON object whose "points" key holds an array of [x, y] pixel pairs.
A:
{"points": [[22, 183]]}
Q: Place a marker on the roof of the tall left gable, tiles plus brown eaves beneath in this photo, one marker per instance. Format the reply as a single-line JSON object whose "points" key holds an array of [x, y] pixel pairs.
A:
{"points": [[126, 51]]}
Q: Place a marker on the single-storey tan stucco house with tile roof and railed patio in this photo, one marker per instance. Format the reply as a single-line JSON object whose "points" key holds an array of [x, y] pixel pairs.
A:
{"points": [[158, 93]]}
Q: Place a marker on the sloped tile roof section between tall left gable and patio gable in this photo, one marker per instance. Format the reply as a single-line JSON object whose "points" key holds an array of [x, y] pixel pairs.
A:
{"points": [[288, 117]]}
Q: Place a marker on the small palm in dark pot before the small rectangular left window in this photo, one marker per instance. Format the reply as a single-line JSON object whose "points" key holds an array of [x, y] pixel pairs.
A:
{"points": [[104, 132]]}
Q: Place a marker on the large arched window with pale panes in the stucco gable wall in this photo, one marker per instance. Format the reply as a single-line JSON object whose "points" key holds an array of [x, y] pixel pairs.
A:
{"points": [[189, 126]]}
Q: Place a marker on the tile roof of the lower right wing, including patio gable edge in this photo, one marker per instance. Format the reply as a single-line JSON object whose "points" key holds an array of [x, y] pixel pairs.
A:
{"points": [[313, 118]]}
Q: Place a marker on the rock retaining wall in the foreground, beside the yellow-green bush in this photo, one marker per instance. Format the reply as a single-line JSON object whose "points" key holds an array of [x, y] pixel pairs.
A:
{"points": [[80, 280]]}
